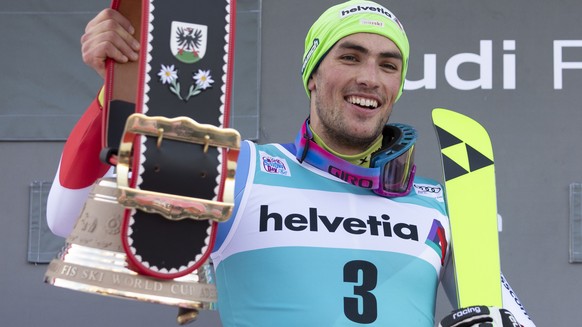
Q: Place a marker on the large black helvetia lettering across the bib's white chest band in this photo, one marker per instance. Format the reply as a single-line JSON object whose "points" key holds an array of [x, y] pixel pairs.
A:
{"points": [[313, 221]]}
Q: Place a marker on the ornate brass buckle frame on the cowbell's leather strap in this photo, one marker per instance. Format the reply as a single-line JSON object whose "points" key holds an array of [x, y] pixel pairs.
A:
{"points": [[176, 207]]}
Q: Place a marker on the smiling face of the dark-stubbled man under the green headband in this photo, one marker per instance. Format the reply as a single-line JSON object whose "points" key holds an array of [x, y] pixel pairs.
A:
{"points": [[353, 91]]}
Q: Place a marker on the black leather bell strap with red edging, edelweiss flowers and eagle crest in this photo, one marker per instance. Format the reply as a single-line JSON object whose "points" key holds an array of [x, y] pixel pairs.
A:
{"points": [[165, 128]]}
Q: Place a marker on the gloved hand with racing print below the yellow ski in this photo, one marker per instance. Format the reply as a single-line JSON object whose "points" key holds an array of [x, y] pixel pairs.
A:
{"points": [[480, 316]]}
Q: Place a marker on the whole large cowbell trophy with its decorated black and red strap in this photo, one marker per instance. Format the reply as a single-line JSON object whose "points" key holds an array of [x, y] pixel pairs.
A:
{"points": [[148, 235]]}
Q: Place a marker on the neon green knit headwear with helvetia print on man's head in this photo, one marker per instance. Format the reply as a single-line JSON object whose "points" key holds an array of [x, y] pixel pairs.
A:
{"points": [[355, 16]]}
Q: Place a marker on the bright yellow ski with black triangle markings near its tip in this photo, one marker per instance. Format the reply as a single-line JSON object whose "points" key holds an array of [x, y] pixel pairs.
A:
{"points": [[469, 178]]}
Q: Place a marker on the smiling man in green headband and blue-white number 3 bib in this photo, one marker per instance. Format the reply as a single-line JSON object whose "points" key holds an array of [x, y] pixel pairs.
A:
{"points": [[318, 236]]}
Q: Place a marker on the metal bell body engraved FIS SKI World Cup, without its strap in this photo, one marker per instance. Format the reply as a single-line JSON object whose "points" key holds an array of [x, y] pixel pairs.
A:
{"points": [[93, 260]]}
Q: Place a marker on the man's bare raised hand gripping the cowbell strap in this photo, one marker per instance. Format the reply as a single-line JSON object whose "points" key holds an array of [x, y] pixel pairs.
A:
{"points": [[108, 35]]}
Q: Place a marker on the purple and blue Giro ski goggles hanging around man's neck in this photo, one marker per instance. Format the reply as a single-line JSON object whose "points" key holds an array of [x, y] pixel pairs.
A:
{"points": [[392, 168]]}
